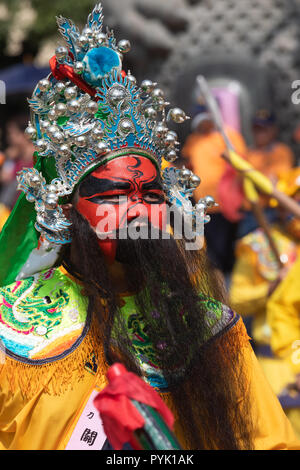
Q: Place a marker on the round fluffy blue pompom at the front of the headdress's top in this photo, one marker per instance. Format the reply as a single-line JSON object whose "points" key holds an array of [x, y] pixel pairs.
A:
{"points": [[99, 62]]}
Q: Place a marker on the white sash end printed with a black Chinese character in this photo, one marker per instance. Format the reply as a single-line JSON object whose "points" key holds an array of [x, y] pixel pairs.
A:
{"points": [[88, 433]]}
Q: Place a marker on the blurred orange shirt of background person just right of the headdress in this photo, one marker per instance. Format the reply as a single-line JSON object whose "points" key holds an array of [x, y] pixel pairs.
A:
{"points": [[203, 153]]}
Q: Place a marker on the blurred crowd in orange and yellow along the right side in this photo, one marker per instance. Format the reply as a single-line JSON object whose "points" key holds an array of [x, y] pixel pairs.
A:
{"points": [[255, 247]]}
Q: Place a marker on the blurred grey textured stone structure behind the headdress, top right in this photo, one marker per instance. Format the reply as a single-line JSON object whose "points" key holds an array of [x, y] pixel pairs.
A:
{"points": [[172, 36]]}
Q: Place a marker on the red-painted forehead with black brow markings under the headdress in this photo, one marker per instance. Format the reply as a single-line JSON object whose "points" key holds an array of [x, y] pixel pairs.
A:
{"points": [[106, 180]]}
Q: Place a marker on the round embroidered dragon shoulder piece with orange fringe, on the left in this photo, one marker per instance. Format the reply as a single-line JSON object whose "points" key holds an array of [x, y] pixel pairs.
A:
{"points": [[42, 317]]}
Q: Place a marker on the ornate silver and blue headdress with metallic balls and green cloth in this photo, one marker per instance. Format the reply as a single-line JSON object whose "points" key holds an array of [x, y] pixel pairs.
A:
{"points": [[86, 112]]}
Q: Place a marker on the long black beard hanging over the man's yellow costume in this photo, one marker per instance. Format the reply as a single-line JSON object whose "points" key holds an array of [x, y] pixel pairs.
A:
{"points": [[205, 383]]}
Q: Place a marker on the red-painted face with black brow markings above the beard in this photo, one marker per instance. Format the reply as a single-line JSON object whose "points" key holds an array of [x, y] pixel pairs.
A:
{"points": [[119, 192]]}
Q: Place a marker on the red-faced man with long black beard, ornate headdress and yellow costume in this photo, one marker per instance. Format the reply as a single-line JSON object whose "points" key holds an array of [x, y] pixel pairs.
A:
{"points": [[79, 292]]}
